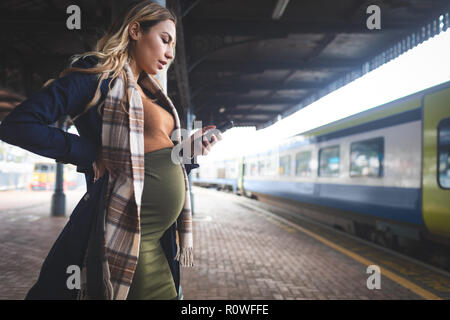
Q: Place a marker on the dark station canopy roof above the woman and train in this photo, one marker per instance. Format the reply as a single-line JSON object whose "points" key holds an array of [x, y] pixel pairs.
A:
{"points": [[252, 61]]}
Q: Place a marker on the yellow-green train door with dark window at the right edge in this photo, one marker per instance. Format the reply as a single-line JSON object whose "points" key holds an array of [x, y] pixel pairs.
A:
{"points": [[436, 162]]}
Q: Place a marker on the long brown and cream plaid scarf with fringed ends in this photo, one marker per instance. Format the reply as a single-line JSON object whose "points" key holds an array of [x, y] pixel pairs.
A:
{"points": [[123, 152]]}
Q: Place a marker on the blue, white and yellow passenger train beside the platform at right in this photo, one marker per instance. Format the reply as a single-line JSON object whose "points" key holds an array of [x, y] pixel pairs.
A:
{"points": [[382, 174]]}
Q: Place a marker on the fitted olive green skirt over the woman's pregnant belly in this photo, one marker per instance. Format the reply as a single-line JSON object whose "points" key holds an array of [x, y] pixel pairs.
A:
{"points": [[162, 200]]}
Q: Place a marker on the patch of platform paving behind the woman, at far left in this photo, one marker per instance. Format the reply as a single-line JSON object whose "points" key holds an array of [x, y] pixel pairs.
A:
{"points": [[27, 233]]}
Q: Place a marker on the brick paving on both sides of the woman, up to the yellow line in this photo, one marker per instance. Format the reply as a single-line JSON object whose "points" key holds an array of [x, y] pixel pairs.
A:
{"points": [[239, 254]]}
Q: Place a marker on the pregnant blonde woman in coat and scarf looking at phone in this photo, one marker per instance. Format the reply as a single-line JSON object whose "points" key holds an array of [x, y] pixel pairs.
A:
{"points": [[128, 129]]}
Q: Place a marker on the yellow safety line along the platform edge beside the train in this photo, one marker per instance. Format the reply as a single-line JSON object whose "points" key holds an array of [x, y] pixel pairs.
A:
{"points": [[400, 280]]}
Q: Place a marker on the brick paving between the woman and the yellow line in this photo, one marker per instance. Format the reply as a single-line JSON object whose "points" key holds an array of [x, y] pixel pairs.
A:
{"points": [[240, 254]]}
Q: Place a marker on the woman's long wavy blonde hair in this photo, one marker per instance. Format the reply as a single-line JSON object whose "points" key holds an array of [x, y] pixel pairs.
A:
{"points": [[112, 50]]}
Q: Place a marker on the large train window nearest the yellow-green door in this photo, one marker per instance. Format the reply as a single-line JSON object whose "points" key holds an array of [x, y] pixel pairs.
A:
{"points": [[366, 158]]}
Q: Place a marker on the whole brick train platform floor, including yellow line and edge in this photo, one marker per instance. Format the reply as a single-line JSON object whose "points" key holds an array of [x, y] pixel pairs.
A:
{"points": [[243, 250]]}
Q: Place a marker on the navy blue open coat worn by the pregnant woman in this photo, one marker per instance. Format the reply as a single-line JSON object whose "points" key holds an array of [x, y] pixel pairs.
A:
{"points": [[29, 127]]}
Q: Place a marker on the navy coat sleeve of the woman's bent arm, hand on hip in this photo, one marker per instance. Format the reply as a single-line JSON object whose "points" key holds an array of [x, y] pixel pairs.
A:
{"points": [[27, 126]]}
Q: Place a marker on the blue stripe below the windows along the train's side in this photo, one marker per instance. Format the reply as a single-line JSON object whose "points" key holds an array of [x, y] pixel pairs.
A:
{"points": [[399, 204]]}
